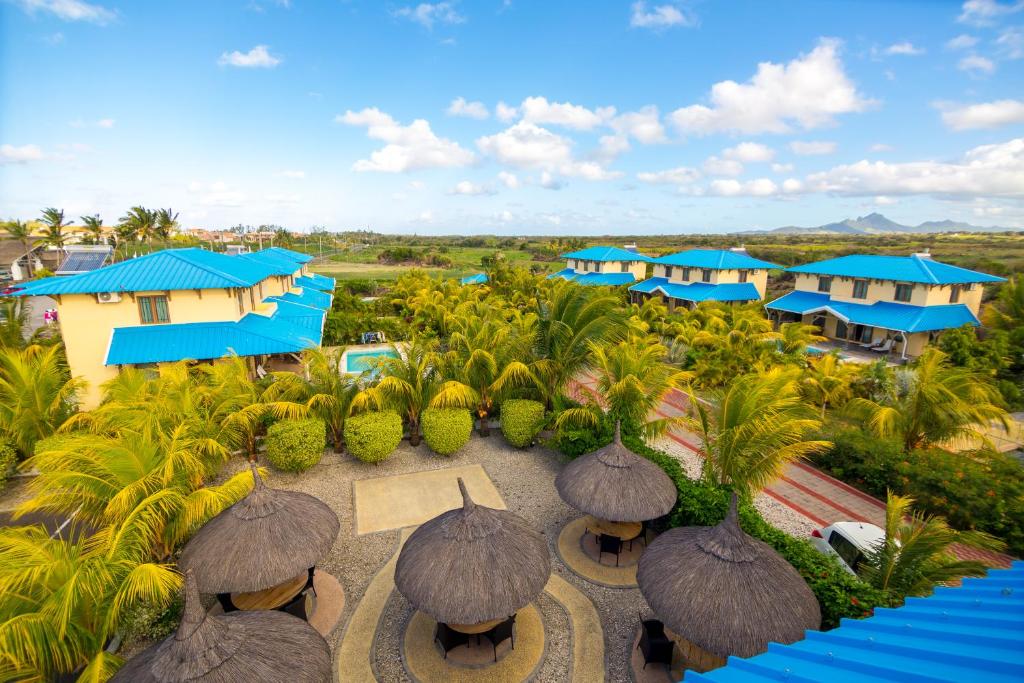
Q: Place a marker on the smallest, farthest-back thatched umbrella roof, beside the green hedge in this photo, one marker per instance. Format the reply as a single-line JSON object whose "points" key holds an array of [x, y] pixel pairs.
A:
{"points": [[616, 484]]}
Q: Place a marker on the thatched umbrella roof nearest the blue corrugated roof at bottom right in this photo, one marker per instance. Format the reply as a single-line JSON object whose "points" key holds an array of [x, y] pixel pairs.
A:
{"points": [[724, 591]]}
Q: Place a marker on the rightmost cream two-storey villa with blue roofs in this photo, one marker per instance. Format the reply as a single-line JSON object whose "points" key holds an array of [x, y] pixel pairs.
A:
{"points": [[891, 305]]}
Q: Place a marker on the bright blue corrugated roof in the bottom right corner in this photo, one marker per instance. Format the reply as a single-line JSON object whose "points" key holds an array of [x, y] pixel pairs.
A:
{"points": [[974, 632]]}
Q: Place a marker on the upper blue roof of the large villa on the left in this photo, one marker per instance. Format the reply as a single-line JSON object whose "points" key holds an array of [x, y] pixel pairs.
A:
{"points": [[169, 270]]}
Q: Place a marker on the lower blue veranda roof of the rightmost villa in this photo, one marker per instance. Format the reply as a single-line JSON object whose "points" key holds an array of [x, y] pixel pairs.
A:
{"points": [[898, 317]]}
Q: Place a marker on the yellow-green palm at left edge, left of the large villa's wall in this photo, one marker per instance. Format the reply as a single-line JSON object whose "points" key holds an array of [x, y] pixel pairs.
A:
{"points": [[37, 395]]}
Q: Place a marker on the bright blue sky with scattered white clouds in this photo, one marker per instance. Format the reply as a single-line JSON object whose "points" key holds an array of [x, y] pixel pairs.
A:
{"points": [[515, 117]]}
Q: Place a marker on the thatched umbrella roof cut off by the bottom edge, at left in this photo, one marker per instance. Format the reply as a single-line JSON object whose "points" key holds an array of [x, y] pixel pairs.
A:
{"points": [[228, 649]]}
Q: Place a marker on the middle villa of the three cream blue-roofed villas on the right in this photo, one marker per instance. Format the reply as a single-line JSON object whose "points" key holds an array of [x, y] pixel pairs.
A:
{"points": [[705, 275]]}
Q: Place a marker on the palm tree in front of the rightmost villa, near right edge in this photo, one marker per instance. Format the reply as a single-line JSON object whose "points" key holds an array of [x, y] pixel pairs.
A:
{"points": [[936, 403]]}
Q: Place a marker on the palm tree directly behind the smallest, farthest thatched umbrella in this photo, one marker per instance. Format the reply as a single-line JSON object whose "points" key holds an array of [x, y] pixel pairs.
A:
{"points": [[633, 378]]}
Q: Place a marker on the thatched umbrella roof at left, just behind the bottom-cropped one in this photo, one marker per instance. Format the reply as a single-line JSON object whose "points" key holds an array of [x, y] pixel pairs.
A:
{"points": [[264, 540]]}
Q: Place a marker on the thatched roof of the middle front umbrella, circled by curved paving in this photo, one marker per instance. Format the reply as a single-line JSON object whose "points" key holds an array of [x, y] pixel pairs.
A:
{"points": [[473, 565]]}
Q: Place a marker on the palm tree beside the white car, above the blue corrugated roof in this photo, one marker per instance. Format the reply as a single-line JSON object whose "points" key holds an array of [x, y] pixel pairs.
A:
{"points": [[917, 552]]}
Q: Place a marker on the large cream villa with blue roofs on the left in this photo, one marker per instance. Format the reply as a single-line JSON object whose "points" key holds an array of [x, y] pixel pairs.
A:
{"points": [[187, 305]]}
